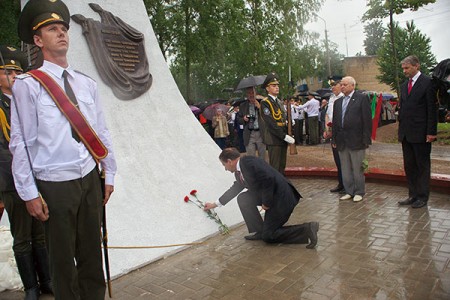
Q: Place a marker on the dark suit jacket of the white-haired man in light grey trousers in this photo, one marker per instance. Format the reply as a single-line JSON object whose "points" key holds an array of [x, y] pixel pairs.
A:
{"points": [[357, 130]]}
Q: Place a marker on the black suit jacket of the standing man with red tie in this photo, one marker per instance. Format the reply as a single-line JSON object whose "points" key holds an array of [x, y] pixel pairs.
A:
{"points": [[417, 114]]}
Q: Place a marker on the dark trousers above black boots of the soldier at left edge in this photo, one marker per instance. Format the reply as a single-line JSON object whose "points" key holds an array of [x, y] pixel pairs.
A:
{"points": [[27, 232]]}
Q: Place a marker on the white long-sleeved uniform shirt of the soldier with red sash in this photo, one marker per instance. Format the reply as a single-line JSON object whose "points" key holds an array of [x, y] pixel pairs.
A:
{"points": [[54, 154]]}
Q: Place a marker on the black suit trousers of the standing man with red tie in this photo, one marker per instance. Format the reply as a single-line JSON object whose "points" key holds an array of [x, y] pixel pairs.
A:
{"points": [[417, 164]]}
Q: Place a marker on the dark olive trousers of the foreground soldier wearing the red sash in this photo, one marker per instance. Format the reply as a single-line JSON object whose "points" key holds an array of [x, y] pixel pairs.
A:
{"points": [[73, 237]]}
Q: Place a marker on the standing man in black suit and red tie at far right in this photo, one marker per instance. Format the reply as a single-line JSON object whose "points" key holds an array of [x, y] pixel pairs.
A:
{"points": [[417, 117]]}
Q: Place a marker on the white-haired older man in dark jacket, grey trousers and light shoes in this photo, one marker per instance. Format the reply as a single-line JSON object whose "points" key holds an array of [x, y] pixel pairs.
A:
{"points": [[351, 135]]}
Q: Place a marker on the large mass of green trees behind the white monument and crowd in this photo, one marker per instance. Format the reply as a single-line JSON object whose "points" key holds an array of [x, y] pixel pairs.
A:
{"points": [[211, 45]]}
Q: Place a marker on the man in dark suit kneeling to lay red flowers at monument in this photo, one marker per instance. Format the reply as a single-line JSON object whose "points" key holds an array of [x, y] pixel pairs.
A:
{"points": [[267, 188]]}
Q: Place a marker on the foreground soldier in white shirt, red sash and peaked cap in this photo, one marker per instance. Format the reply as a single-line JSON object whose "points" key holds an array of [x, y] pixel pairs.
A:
{"points": [[58, 139]]}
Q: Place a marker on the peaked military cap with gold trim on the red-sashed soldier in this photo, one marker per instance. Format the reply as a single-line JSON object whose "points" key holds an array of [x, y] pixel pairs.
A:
{"points": [[39, 13]]}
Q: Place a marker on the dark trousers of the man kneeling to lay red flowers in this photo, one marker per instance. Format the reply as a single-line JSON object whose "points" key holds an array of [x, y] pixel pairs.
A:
{"points": [[271, 228]]}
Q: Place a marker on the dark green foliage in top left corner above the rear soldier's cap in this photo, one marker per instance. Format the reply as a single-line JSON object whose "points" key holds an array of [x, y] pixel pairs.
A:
{"points": [[9, 14]]}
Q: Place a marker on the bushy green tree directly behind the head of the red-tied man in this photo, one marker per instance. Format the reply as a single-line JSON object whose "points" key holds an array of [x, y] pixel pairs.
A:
{"points": [[409, 42]]}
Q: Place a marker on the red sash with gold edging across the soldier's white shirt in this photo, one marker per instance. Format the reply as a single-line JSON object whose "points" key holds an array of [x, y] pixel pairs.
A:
{"points": [[73, 114]]}
